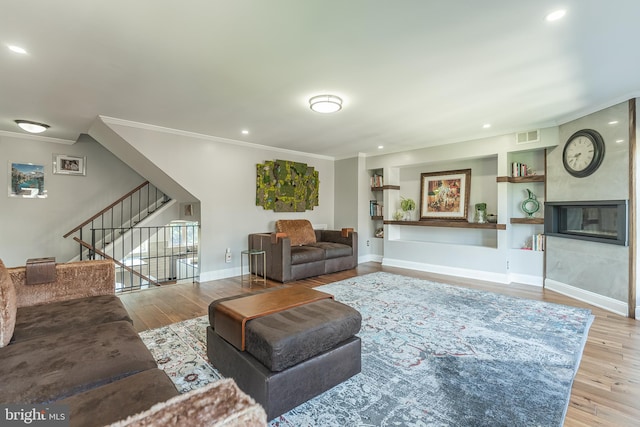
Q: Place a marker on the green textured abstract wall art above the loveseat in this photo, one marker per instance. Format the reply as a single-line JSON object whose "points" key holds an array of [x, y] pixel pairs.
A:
{"points": [[286, 186]]}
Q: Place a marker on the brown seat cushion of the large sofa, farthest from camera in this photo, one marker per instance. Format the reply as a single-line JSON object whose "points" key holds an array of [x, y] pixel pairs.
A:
{"points": [[69, 316]]}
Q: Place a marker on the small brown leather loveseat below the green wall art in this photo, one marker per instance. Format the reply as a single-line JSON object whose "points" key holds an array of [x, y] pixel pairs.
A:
{"points": [[296, 251]]}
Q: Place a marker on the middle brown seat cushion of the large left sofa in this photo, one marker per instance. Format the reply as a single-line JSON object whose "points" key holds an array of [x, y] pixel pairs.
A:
{"points": [[56, 366]]}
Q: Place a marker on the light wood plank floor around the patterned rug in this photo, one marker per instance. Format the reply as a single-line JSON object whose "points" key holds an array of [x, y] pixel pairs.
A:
{"points": [[606, 390]]}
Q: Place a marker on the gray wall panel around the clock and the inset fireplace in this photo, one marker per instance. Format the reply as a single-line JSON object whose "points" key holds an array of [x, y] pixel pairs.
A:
{"points": [[595, 267]]}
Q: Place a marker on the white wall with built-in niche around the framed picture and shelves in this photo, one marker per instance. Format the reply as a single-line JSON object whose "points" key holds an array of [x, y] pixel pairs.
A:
{"points": [[483, 254]]}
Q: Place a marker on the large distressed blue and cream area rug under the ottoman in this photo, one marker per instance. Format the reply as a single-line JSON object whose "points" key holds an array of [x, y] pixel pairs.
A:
{"points": [[432, 355]]}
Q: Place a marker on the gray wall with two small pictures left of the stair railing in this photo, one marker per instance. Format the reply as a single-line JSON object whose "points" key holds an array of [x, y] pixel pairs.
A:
{"points": [[33, 228]]}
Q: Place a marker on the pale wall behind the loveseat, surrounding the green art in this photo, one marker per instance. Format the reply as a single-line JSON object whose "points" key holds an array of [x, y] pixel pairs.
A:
{"points": [[221, 174]]}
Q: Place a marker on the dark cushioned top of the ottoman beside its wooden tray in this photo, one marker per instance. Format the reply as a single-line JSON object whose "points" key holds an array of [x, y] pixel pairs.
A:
{"points": [[291, 336]]}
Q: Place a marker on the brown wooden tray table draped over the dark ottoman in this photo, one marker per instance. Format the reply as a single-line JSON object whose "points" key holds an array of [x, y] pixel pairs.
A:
{"points": [[232, 315]]}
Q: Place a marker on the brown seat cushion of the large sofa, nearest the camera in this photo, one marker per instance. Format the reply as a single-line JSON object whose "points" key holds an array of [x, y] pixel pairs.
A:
{"points": [[119, 399]]}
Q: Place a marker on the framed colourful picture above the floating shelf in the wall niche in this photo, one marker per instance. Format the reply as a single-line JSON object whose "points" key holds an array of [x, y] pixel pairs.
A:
{"points": [[445, 195]]}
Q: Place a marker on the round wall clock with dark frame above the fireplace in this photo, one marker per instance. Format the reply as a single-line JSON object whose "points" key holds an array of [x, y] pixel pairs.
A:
{"points": [[583, 153]]}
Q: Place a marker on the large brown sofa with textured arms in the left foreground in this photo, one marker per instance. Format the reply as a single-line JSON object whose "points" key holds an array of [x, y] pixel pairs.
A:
{"points": [[71, 341]]}
